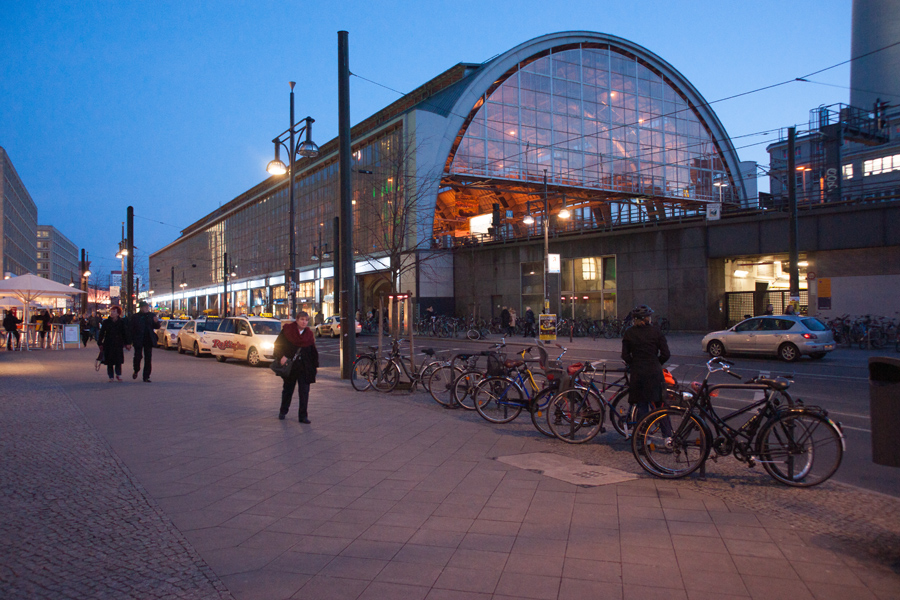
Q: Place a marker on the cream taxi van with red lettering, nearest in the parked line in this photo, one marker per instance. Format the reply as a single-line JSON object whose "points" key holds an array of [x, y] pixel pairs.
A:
{"points": [[245, 338]]}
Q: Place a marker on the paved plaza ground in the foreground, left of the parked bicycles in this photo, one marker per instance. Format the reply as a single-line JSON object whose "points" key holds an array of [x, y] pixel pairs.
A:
{"points": [[190, 487]]}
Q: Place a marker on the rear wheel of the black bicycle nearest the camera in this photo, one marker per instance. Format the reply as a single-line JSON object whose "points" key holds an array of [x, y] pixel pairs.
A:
{"points": [[801, 449]]}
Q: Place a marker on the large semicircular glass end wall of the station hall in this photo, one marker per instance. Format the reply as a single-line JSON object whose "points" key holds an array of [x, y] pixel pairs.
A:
{"points": [[601, 121]]}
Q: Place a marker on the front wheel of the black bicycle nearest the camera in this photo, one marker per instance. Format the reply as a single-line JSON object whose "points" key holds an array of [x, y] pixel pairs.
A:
{"points": [[669, 443]]}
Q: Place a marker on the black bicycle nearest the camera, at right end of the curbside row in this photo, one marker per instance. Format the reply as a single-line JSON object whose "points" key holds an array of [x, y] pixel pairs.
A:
{"points": [[797, 445]]}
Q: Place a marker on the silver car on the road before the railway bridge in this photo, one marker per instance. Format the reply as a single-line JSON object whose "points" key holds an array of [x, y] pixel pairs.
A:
{"points": [[786, 336]]}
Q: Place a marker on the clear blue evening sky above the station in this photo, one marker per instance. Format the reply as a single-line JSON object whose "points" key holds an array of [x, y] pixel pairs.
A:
{"points": [[170, 106]]}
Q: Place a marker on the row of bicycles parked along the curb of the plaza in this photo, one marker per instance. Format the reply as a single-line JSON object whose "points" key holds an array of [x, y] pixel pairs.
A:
{"points": [[797, 445]]}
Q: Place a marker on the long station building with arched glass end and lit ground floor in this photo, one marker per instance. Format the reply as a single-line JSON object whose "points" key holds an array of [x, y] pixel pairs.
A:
{"points": [[604, 133]]}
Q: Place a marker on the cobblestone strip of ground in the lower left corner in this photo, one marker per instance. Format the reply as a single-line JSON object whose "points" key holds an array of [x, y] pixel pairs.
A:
{"points": [[74, 523]]}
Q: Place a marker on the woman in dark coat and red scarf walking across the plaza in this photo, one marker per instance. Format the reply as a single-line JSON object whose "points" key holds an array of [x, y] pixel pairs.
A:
{"points": [[297, 340]]}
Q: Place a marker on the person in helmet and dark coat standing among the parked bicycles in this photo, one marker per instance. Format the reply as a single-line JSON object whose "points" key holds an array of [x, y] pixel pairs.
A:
{"points": [[645, 350]]}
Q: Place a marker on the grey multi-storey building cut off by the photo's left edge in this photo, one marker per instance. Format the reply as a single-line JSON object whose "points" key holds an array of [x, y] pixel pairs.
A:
{"points": [[18, 222]]}
